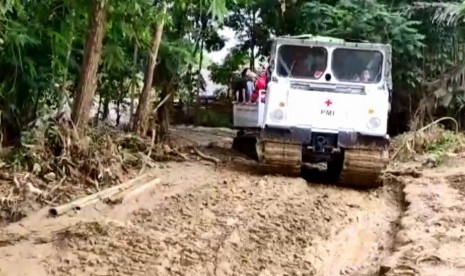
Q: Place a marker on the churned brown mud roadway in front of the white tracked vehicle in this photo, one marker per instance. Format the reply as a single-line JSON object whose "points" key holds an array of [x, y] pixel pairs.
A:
{"points": [[247, 225]]}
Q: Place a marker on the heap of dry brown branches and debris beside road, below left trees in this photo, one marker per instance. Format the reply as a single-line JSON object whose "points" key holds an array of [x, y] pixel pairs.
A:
{"points": [[55, 164]]}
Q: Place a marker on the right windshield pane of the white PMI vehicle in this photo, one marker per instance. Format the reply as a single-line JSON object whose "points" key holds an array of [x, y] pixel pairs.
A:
{"points": [[355, 65]]}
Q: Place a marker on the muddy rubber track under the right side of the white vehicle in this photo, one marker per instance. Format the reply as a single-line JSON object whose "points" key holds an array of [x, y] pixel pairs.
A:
{"points": [[363, 168]]}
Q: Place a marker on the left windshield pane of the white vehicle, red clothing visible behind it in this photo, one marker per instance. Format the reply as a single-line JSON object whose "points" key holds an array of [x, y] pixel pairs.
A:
{"points": [[301, 61]]}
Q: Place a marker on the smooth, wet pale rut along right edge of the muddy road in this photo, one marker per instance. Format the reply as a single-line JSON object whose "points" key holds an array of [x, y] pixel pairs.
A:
{"points": [[360, 247]]}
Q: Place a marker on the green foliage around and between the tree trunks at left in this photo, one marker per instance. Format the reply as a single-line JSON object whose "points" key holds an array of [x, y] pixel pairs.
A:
{"points": [[41, 49]]}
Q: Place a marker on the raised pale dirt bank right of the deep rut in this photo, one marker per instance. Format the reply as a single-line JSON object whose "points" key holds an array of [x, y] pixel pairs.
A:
{"points": [[431, 239]]}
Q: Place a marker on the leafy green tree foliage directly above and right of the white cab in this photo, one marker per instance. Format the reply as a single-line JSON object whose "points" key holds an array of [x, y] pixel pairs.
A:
{"points": [[370, 21]]}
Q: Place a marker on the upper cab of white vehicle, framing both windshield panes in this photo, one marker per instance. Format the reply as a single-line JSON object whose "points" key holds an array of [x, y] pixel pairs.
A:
{"points": [[330, 60]]}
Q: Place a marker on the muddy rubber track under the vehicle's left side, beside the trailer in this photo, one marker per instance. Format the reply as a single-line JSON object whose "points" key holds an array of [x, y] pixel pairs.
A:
{"points": [[277, 157]]}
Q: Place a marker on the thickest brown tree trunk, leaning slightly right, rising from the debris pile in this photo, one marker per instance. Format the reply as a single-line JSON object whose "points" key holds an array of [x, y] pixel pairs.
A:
{"points": [[88, 74]]}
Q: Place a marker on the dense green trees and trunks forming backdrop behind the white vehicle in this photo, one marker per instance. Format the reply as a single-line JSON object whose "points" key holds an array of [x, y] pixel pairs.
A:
{"points": [[60, 54]]}
